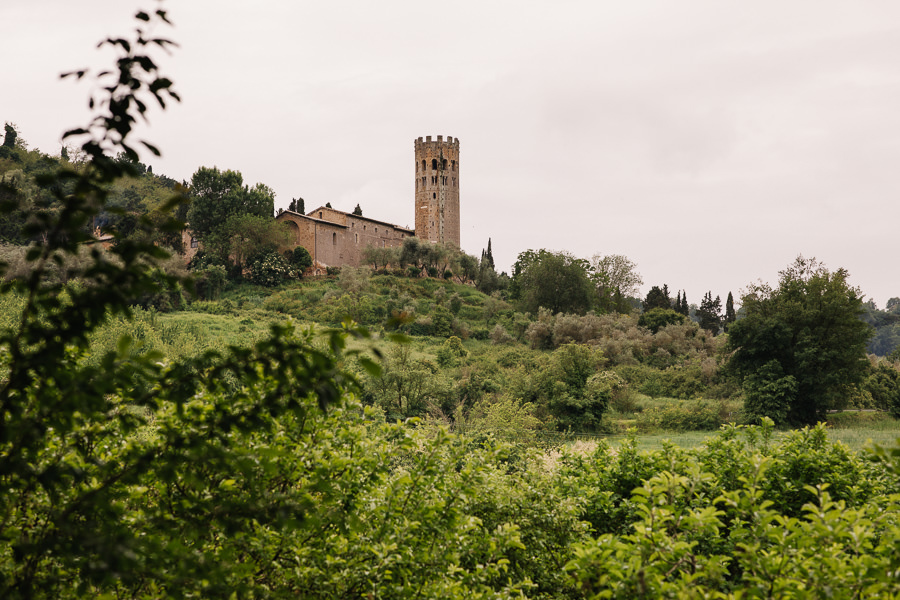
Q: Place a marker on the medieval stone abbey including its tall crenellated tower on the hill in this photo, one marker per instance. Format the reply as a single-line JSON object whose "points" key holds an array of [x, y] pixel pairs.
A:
{"points": [[336, 238]]}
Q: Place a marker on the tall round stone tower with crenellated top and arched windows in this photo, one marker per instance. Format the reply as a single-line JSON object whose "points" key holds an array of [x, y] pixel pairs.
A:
{"points": [[437, 190]]}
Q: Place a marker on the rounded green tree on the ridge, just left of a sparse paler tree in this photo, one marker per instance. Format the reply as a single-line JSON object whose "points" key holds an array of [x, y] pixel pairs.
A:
{"points": [[556, 281]]}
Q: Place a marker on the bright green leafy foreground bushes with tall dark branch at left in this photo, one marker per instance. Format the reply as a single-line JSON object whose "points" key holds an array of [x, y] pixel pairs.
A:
{"points": [[254, 472]]}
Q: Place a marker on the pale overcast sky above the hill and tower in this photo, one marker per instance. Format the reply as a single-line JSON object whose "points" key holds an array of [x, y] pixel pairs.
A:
{"points": [[711, 142]]}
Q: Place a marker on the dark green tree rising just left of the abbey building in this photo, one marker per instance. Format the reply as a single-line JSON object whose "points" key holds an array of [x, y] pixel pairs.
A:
{"points": [[218, 195]]}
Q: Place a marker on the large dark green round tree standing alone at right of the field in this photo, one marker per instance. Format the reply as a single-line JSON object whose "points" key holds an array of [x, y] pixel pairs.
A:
{"points": [[801, 345]]}
